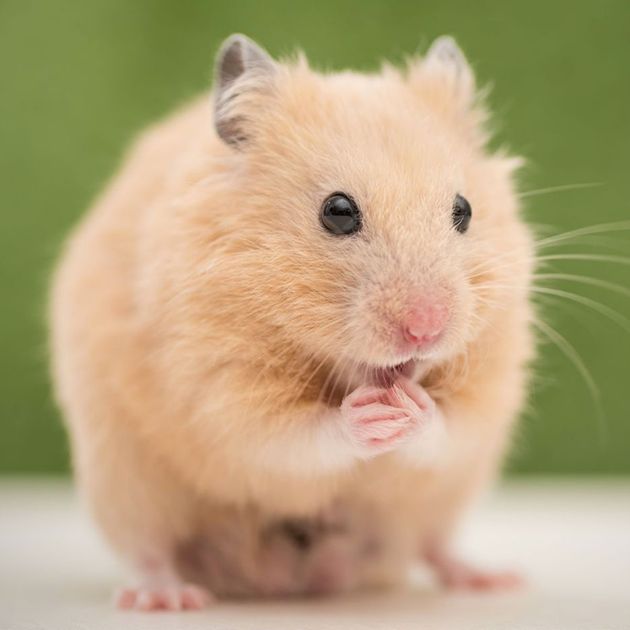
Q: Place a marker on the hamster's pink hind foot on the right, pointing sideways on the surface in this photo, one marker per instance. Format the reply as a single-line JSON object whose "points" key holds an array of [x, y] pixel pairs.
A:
{"points": [[457, 575]]}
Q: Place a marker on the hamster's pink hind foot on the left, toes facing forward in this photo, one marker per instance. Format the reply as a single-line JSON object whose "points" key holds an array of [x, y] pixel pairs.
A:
{"points": [[172, 597]]}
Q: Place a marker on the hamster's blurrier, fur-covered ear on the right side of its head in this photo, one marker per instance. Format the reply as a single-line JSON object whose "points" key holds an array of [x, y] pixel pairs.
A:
{"points": [[445, 81]]}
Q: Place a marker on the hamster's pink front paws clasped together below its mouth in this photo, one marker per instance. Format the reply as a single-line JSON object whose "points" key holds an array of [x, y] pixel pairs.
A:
{"points": [[381, 419]]}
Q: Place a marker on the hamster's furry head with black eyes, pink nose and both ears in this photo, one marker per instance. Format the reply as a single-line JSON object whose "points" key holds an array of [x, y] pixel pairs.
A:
{"points": [[375, 228]]}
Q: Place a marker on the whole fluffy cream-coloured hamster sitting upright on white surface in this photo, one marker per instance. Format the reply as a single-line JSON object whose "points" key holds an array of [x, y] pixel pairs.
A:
{"points": [[304, 294]]}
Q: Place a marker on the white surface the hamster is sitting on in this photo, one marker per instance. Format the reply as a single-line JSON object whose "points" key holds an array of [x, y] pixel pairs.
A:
{"points": [[572, 540]]}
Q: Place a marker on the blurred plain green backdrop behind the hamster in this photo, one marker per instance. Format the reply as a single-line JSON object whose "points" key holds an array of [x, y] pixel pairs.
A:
{"points": [[80, 78]]}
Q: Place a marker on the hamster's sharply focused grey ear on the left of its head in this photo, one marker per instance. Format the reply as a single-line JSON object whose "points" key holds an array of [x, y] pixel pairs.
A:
{"points": [[243, 72]]}
